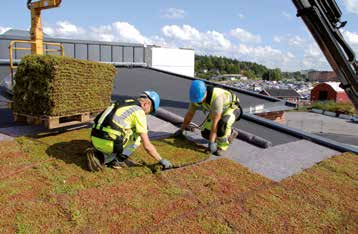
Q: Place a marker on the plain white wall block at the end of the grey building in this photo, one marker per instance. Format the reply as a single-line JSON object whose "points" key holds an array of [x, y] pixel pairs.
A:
{"points": [[179, 61]]}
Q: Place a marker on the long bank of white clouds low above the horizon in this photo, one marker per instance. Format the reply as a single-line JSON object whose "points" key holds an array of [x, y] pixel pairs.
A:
{"points": [[209, 42]]}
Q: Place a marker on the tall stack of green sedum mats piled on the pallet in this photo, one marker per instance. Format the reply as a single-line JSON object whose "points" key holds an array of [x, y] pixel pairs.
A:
{"points": [[56, 86]]}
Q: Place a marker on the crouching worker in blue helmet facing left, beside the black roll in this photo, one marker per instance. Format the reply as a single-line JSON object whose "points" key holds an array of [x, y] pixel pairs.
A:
{"points": [[224, 109]]}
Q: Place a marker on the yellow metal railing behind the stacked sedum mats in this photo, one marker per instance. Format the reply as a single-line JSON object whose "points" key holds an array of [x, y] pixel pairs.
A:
{"points": [[12, 48]]}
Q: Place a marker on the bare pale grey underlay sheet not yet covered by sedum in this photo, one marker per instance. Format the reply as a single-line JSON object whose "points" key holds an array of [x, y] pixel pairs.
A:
{"points": [[277, 162]]}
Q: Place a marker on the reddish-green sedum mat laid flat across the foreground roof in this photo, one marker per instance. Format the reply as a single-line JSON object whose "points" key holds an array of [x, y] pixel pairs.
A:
{"points": [[56, 194]]}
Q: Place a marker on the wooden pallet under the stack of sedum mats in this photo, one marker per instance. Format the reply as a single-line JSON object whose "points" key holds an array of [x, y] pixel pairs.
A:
{"points": [[52, 122]]}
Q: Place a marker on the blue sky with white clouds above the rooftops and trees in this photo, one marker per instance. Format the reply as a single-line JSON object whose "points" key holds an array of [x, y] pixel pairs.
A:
{"points": [[262, 31]]}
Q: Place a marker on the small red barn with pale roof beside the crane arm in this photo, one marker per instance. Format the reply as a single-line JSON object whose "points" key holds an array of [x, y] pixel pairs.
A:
{"points": [[329, 91]]}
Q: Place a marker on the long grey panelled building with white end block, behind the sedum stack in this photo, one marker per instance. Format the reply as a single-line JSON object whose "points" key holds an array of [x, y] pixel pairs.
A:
{"points": [[179, 61]]}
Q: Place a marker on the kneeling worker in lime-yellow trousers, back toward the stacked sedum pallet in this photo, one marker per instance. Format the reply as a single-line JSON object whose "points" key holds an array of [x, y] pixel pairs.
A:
{"points": [[118, 131]]}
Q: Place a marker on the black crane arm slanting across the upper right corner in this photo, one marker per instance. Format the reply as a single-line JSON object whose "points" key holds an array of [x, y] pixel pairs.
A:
{"points": [[322, 18]]}
